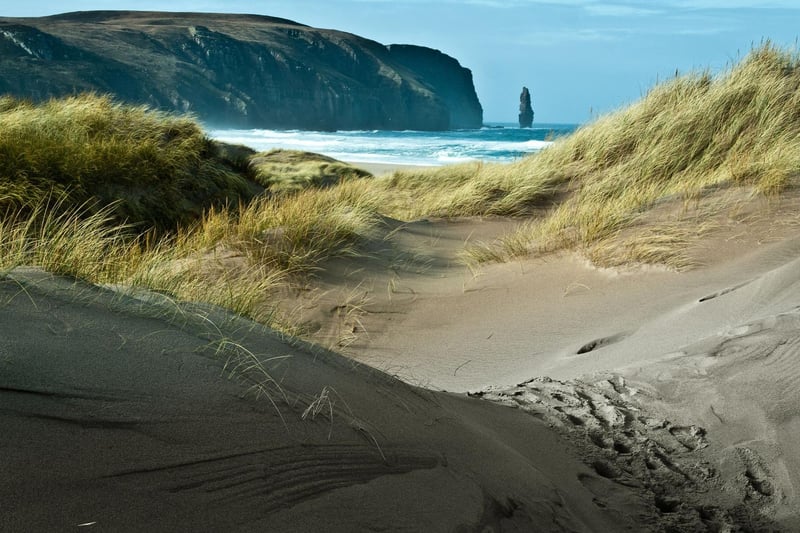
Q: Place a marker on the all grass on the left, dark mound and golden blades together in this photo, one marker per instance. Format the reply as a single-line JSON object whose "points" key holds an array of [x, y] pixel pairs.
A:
{"points": [[114, 194]]}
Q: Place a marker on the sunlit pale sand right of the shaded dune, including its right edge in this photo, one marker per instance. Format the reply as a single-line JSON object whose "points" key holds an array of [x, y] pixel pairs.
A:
{"points": [[715, 348]]}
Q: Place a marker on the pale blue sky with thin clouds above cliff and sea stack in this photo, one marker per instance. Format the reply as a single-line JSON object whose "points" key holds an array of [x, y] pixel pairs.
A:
{"points": [[579, 58]]}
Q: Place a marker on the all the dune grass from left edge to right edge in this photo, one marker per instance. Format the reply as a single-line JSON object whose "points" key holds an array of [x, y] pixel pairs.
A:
{"points": [[233, 225]]}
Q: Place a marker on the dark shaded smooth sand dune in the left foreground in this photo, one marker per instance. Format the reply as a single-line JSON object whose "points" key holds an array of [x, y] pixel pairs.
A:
{"points": [[118, 415]]}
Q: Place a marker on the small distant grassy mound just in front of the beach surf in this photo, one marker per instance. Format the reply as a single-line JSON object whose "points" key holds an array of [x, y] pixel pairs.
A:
{"points": [[283, 171]]}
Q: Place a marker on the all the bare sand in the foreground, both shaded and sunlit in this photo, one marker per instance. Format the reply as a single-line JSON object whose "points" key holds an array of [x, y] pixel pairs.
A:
{"points": [[542, 394]]}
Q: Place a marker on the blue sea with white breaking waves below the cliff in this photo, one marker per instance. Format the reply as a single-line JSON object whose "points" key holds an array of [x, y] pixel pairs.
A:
{"points": [[495, 142]]}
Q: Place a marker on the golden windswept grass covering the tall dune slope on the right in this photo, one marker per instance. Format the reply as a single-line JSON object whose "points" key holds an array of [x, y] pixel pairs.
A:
{"points": [[688, 137]]}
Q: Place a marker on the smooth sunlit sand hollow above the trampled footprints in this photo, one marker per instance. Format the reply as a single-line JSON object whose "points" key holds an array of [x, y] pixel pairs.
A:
{"points": [[446, 327]]}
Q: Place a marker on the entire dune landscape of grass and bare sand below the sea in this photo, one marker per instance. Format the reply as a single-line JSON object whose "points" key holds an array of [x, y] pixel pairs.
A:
{"points": [[542, 394]]}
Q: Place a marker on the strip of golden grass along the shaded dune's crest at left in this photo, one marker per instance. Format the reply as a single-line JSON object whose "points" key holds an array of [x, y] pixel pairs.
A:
{"points": [[91, 247]]}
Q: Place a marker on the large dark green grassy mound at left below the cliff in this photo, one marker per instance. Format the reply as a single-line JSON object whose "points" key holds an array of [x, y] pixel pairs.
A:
{"points": [[158, 170]]}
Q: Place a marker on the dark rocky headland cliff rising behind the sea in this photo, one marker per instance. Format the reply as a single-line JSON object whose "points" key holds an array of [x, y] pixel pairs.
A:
{"points": [[238, 70]]}
